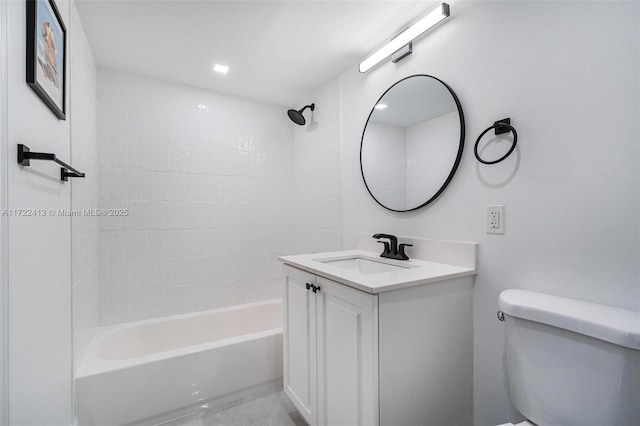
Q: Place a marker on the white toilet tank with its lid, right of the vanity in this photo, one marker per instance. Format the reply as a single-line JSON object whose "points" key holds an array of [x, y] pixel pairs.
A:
{"points": [[572, 362]]}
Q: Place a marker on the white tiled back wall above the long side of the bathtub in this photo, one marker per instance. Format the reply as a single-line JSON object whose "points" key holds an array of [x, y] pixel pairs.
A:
{"points": [[204, 182]]}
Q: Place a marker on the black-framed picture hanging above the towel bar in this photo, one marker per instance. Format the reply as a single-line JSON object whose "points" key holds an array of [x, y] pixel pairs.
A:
{"points": [[46, 54]]}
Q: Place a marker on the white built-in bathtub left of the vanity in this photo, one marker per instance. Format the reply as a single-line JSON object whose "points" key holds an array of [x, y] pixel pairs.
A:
{"points": [[144, 371]]}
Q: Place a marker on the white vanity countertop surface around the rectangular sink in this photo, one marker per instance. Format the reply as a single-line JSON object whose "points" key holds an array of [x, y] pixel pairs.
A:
{"points": [[414, 271]]}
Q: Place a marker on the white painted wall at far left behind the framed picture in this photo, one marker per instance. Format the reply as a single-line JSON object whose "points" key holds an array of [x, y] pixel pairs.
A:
{"points": [[39, 267]]}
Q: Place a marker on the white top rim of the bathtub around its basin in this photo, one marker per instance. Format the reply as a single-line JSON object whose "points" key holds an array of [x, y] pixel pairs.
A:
{"points": [[92, 364]]}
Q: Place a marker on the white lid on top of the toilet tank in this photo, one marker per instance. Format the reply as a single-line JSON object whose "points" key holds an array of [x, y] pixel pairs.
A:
{"points": [[613, 325]]}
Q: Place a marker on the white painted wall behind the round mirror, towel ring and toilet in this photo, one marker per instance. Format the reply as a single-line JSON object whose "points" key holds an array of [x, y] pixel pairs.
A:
{"points": [[567, 74]]}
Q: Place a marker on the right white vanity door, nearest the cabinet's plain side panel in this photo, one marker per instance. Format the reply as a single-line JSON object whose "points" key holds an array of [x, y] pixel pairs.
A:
{"points": [[347, 355]]}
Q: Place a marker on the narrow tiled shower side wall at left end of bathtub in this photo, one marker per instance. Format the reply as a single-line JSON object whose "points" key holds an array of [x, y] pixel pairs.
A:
{"points": [[84, 192]]}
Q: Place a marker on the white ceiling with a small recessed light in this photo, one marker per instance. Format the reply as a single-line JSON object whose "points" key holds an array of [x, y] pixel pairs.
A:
{"points": [[277, 51]]}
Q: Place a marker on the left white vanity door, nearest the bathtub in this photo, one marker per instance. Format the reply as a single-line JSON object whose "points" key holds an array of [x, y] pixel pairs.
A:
{"points": [[299, 341]]}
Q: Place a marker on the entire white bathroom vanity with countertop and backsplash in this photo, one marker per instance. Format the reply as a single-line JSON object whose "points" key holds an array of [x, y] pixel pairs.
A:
{"points": [[372, 341]]}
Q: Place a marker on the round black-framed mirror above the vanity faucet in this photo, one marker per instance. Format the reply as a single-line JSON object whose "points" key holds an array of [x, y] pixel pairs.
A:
{"points": [[412, 143]]}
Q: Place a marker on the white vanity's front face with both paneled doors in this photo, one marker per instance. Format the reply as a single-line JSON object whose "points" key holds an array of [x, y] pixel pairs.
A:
{"points": [[330, 356]]}
